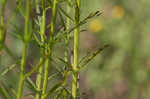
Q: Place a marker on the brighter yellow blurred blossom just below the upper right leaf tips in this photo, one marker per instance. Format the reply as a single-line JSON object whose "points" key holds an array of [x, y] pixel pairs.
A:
{"points": [[95, 25]]}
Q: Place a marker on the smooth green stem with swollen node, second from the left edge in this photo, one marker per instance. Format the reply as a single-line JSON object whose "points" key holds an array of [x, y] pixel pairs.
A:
{"points": [[24, 56]]}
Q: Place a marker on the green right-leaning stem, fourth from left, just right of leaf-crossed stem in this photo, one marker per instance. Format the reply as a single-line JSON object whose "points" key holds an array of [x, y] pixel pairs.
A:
{"points": [[50, 46]]}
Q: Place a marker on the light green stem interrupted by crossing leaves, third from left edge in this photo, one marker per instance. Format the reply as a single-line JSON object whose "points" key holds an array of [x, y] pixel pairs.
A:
{"points": [[42, 34]]}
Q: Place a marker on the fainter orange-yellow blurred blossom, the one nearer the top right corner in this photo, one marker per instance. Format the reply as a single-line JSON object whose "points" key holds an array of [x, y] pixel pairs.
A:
{"points": [[118, 12]]}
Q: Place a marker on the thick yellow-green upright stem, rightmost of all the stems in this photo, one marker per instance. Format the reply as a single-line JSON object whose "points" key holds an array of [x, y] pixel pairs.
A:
{"points": [[75, 83]]}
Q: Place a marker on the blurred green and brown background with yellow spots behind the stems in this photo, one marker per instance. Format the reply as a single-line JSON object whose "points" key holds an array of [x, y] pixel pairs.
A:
{"points": [[121, 71]]}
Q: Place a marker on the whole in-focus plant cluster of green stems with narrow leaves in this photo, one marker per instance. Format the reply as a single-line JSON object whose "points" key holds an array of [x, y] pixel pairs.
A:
{"points": [[40, 88]]}
